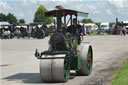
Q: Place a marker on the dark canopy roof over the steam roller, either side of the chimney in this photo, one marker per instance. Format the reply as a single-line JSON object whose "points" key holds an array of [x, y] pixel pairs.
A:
{"points": [[66, 12]]}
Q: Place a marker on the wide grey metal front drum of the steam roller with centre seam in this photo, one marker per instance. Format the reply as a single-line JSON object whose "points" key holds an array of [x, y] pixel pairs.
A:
{"points": [[54, 70]]}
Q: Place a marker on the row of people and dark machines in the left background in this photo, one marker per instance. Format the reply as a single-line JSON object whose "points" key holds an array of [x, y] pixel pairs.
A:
{"points": [[10, 32]]}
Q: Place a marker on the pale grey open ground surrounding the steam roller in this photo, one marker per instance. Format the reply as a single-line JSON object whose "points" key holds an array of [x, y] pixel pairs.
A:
{"points": [[20, 67]]}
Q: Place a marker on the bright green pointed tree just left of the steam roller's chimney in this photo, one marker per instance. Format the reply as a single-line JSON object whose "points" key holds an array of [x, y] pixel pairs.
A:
{"points": [[40, 15]]}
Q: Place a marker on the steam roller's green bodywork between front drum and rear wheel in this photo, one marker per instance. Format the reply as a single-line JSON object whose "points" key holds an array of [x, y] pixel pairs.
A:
{"points": [[72, 56]]}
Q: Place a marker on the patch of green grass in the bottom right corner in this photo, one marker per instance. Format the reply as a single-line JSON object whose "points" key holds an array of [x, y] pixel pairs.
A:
{"points": [[121, 76]]}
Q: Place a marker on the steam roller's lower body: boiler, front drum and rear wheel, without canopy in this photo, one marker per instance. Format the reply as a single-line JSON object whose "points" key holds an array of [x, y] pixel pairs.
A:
{"points": [[60, 58]]}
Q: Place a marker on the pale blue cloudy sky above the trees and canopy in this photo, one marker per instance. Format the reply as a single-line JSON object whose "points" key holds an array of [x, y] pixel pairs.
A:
{"points": [[99, 10]]}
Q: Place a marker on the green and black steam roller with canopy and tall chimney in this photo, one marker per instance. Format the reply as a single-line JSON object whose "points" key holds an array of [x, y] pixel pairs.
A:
{"points": [[64, 52]]}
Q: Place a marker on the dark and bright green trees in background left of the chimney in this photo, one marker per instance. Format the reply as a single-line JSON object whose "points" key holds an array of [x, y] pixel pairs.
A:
{"points": [[38, 17]]}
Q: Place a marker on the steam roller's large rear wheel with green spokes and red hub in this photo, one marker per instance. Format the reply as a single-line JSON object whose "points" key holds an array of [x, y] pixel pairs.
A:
{"points": [[86, 56]]}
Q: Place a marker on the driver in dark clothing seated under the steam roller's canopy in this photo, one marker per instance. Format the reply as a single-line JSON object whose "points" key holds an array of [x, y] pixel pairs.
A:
{"points": [[73, 30]]}
